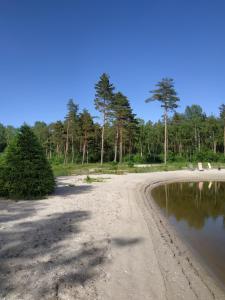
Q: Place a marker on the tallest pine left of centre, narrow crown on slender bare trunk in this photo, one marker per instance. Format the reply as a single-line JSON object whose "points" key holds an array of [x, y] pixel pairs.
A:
{"points": [[104, 94]]}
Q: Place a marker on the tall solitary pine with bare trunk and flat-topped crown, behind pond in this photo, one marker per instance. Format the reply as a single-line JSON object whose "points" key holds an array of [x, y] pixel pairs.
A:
{"points": [[165, 93]]}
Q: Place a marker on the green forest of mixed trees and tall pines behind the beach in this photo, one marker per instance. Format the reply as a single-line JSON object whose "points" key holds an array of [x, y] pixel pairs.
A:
{"points": [[121, 136]]}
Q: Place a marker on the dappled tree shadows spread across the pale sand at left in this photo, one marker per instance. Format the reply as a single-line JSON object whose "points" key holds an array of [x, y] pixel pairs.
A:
{"points": [[43, 258]]}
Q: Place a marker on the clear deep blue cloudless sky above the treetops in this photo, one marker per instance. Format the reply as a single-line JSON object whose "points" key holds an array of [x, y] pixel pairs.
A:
{"points": [[54, 50]]}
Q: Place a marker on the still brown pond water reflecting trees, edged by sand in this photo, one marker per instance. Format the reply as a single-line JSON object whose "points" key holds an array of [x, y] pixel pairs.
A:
{"points": [[197, 210]]}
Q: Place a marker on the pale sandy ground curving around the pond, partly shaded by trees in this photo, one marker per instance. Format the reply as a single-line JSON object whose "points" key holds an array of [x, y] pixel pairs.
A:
{"points": [[105, 240]]}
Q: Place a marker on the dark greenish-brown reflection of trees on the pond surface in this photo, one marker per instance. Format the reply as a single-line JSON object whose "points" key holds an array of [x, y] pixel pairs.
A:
{"points": [[193, 202]]}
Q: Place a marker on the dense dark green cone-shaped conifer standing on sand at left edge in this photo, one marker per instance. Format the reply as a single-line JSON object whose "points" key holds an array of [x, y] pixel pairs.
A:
{"points": [[25, 173]]}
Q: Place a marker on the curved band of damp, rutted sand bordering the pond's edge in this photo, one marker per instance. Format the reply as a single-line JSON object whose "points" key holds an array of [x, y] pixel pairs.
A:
{"points": [[183, 252]]}
